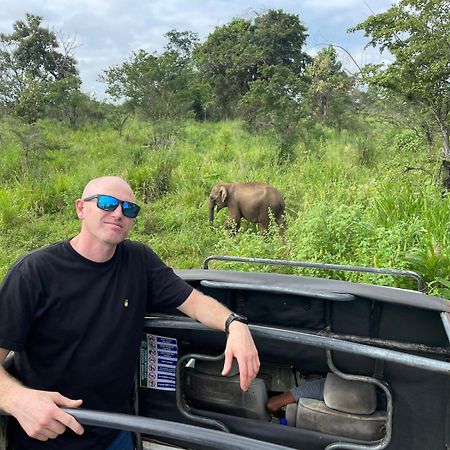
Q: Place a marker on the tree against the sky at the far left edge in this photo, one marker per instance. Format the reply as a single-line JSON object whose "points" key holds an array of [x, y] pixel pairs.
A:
{"points": [[32, 62]]}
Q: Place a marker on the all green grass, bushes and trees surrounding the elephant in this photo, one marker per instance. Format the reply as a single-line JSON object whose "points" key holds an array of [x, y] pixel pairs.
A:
{"points": [[358, 157]]}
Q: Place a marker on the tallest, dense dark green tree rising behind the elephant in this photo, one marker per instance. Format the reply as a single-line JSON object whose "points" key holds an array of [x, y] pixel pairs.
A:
{"points": [[236, 55]]}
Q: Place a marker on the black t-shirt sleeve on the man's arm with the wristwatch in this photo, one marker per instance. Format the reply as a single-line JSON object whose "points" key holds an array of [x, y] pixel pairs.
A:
{"points": [[168, 290]]}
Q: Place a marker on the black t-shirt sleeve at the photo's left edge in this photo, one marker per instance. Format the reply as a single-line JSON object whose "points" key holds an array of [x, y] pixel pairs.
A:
{"points": [[18, 303]]}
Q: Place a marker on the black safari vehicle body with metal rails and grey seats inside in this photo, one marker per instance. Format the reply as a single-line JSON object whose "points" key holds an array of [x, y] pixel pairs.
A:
{"points": [[382, 354]]}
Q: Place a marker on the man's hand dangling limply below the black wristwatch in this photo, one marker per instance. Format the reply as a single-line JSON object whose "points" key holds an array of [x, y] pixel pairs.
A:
{"points": [[240, 345]]}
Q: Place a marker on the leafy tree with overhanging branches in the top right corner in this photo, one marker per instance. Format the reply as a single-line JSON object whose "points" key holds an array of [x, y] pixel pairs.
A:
{"points": [[417, 34]]}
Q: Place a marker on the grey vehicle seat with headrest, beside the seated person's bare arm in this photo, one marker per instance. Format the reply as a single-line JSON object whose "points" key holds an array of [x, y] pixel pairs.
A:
{"points": [[348, 410]]}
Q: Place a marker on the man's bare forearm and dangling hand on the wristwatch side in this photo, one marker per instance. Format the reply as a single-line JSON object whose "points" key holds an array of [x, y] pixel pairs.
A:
{"points": [[240, 343]]}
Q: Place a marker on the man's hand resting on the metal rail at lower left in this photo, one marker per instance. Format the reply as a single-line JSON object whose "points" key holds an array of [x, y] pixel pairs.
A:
{"points": [[40, 415]]}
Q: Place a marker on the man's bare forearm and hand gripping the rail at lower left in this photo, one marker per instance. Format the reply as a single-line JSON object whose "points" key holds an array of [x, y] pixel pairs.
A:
{"points": [[37, 412]]}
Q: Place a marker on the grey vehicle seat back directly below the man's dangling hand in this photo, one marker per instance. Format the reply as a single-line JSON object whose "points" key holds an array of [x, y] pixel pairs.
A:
{"points": [[207, 389]]}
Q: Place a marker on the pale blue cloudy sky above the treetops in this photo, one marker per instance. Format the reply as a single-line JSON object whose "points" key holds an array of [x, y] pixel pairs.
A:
{"points": [[107, 32]]}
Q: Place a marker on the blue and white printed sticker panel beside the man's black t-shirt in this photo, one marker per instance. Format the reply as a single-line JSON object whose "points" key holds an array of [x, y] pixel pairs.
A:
{"points": [[159, 356]]}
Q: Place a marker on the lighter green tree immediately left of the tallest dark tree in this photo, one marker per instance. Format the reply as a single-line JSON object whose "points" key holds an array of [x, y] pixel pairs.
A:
{"points": [[158, 86]]}
